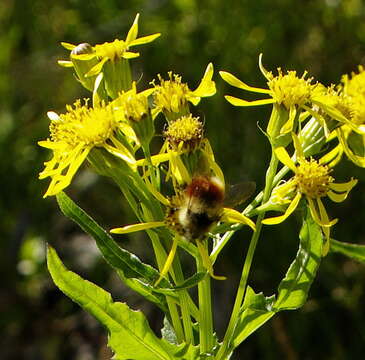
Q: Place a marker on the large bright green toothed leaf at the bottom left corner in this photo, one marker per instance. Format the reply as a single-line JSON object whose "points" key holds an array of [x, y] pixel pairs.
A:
{"points": [[130, 335]]}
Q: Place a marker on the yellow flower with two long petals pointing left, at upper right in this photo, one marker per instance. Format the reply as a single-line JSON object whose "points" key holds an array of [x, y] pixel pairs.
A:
{"points": [[285, 89]]}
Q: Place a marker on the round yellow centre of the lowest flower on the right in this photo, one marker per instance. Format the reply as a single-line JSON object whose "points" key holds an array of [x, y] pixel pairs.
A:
{"points": [[313, 179]]}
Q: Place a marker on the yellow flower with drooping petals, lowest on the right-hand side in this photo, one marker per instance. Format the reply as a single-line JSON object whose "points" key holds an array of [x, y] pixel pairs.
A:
{"points": [[313, 181]]}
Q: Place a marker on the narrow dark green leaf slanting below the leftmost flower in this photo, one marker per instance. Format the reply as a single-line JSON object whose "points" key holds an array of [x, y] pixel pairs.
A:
{"points": [[137, 275]]}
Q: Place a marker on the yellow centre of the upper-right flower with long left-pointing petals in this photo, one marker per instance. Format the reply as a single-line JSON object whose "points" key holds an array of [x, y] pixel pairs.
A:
{"points": [[290, 90]]}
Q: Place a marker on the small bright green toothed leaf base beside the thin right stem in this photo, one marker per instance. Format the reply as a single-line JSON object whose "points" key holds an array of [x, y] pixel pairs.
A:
{"points": [[256, 310]]}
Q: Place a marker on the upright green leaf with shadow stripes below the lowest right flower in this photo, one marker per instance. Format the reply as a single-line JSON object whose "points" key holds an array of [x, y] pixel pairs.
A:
{"points": [[293, 289]]}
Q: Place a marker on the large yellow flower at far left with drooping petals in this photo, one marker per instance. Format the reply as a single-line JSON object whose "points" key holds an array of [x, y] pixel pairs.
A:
{"points": [[73, 135]]}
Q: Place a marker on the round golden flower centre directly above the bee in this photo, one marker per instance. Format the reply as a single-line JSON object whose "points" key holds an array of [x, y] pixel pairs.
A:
{"points": [[187, 130]]}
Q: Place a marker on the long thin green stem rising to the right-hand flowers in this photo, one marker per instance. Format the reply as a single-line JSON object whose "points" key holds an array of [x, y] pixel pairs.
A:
{"points": [[225, 347]]}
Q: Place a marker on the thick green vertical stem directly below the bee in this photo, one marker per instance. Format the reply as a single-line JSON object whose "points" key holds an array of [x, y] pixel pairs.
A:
{"points": [[205, 310]]}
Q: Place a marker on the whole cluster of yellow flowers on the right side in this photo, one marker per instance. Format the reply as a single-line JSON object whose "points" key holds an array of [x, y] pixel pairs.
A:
{"points": [[311, 116]]}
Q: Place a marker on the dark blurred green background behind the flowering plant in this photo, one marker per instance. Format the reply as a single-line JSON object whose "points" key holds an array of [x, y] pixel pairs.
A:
{"points": [[325, 37]]}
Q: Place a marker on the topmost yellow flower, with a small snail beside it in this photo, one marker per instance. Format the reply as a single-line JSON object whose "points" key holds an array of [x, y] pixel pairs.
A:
{"points": [[116, 50]]}
